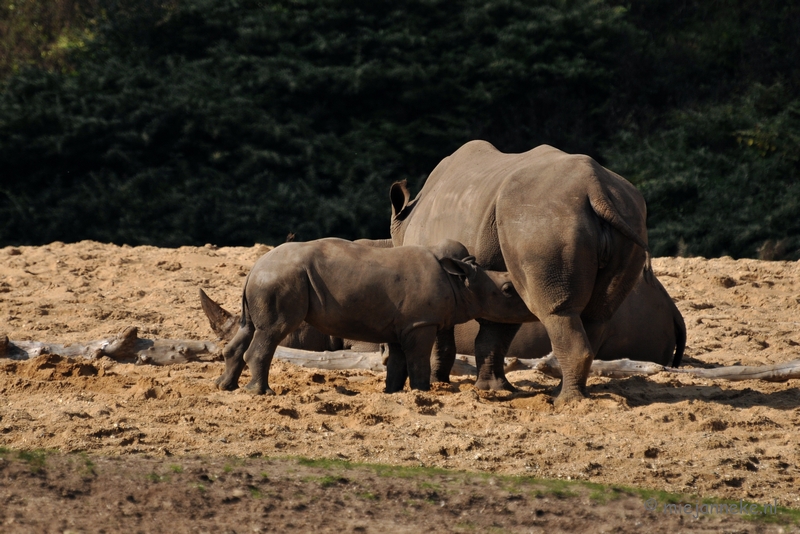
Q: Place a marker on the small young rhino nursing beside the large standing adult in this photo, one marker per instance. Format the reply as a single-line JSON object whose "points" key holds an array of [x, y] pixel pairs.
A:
{"points": [[402, 296]]}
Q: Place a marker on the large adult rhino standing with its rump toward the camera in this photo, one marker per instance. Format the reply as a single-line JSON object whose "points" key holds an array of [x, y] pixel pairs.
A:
{"points": [[570, 233]]}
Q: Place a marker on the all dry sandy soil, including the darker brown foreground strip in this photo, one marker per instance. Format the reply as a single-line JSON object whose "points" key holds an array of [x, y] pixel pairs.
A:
{"points": [[140, 447]]}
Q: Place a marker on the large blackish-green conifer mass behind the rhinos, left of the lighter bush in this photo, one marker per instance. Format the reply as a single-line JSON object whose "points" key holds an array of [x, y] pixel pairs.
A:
{"points": [[239, 121]]}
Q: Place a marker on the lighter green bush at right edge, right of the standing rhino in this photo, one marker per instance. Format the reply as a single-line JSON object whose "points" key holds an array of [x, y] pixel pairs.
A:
{"points": [[723, 180]]}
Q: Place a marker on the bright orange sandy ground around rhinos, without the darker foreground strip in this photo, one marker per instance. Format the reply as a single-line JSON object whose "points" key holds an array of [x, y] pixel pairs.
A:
{"points": [[736, 440]]}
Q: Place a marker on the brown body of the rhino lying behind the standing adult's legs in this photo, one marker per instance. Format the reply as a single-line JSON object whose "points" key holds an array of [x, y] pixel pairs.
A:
{"points": [[647, 327]]}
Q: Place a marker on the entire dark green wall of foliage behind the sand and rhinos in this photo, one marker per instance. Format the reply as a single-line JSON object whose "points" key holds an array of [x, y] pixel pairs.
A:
{"points": [[238, 121]]}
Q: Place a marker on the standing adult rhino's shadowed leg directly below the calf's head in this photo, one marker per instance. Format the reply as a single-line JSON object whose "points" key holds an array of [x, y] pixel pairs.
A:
{"points": [[491, 347]]}
